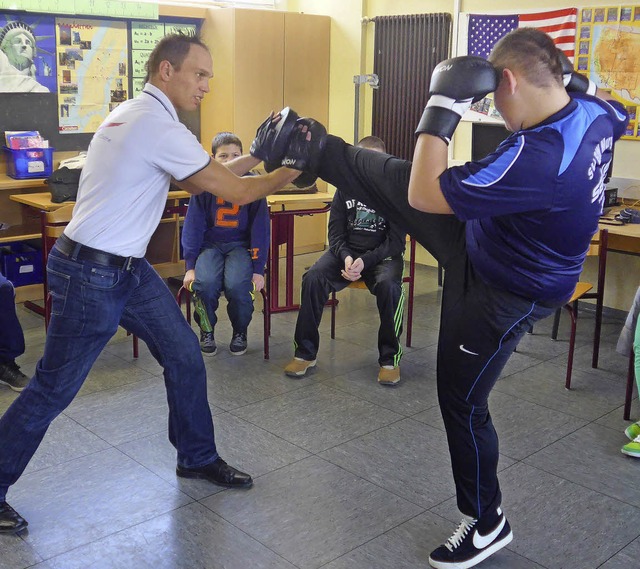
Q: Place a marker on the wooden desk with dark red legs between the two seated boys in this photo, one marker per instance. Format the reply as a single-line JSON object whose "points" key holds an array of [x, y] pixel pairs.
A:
{"points": [[282, 210]]}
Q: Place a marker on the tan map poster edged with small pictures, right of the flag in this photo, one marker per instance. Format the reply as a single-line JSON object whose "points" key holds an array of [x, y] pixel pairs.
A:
{"points": [[607, 49]]}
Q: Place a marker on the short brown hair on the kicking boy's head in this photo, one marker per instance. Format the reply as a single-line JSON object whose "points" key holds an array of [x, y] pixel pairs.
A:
{"points": [[532, 53]]}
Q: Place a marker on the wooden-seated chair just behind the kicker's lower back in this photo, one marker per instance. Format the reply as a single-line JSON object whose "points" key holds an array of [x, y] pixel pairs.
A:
{"points": [[584, 290]]}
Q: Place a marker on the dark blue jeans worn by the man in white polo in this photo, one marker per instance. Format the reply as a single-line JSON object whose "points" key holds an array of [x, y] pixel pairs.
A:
{"points": [[89, 300]]}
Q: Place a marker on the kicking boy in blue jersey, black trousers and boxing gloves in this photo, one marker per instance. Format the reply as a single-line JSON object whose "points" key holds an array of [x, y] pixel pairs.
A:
{"points": [[511, 231]]}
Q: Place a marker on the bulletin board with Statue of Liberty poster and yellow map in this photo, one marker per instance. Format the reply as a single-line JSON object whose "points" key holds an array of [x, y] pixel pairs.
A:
{"points": [[82, 67]]}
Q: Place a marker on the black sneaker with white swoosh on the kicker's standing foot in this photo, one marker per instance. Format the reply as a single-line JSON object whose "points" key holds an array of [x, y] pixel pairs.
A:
{"points": [[468, 546]]}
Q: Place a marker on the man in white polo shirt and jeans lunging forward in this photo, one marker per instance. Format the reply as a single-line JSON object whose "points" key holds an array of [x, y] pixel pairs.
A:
{"points": [[98, 278]]}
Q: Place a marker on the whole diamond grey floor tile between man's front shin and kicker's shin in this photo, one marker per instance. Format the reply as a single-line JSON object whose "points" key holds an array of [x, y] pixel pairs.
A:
{"points": [[317, 417]]}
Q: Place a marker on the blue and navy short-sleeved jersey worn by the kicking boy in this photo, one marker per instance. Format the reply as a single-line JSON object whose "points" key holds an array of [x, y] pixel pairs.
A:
{"points": [[532, 206]]}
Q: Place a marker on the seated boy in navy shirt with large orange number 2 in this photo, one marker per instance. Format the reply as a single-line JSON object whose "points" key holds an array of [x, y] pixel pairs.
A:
{"points": [[225, 247]]}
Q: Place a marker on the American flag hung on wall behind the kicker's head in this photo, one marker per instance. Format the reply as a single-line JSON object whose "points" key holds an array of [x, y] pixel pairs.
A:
{"points": [[485, 30]]}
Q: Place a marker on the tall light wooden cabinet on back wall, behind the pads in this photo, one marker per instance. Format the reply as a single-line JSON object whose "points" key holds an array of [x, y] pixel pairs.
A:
{"points": [[265, 60]]}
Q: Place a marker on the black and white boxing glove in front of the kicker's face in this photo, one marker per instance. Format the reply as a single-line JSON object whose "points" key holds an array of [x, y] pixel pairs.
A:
{"points": [[455, 84]]}
